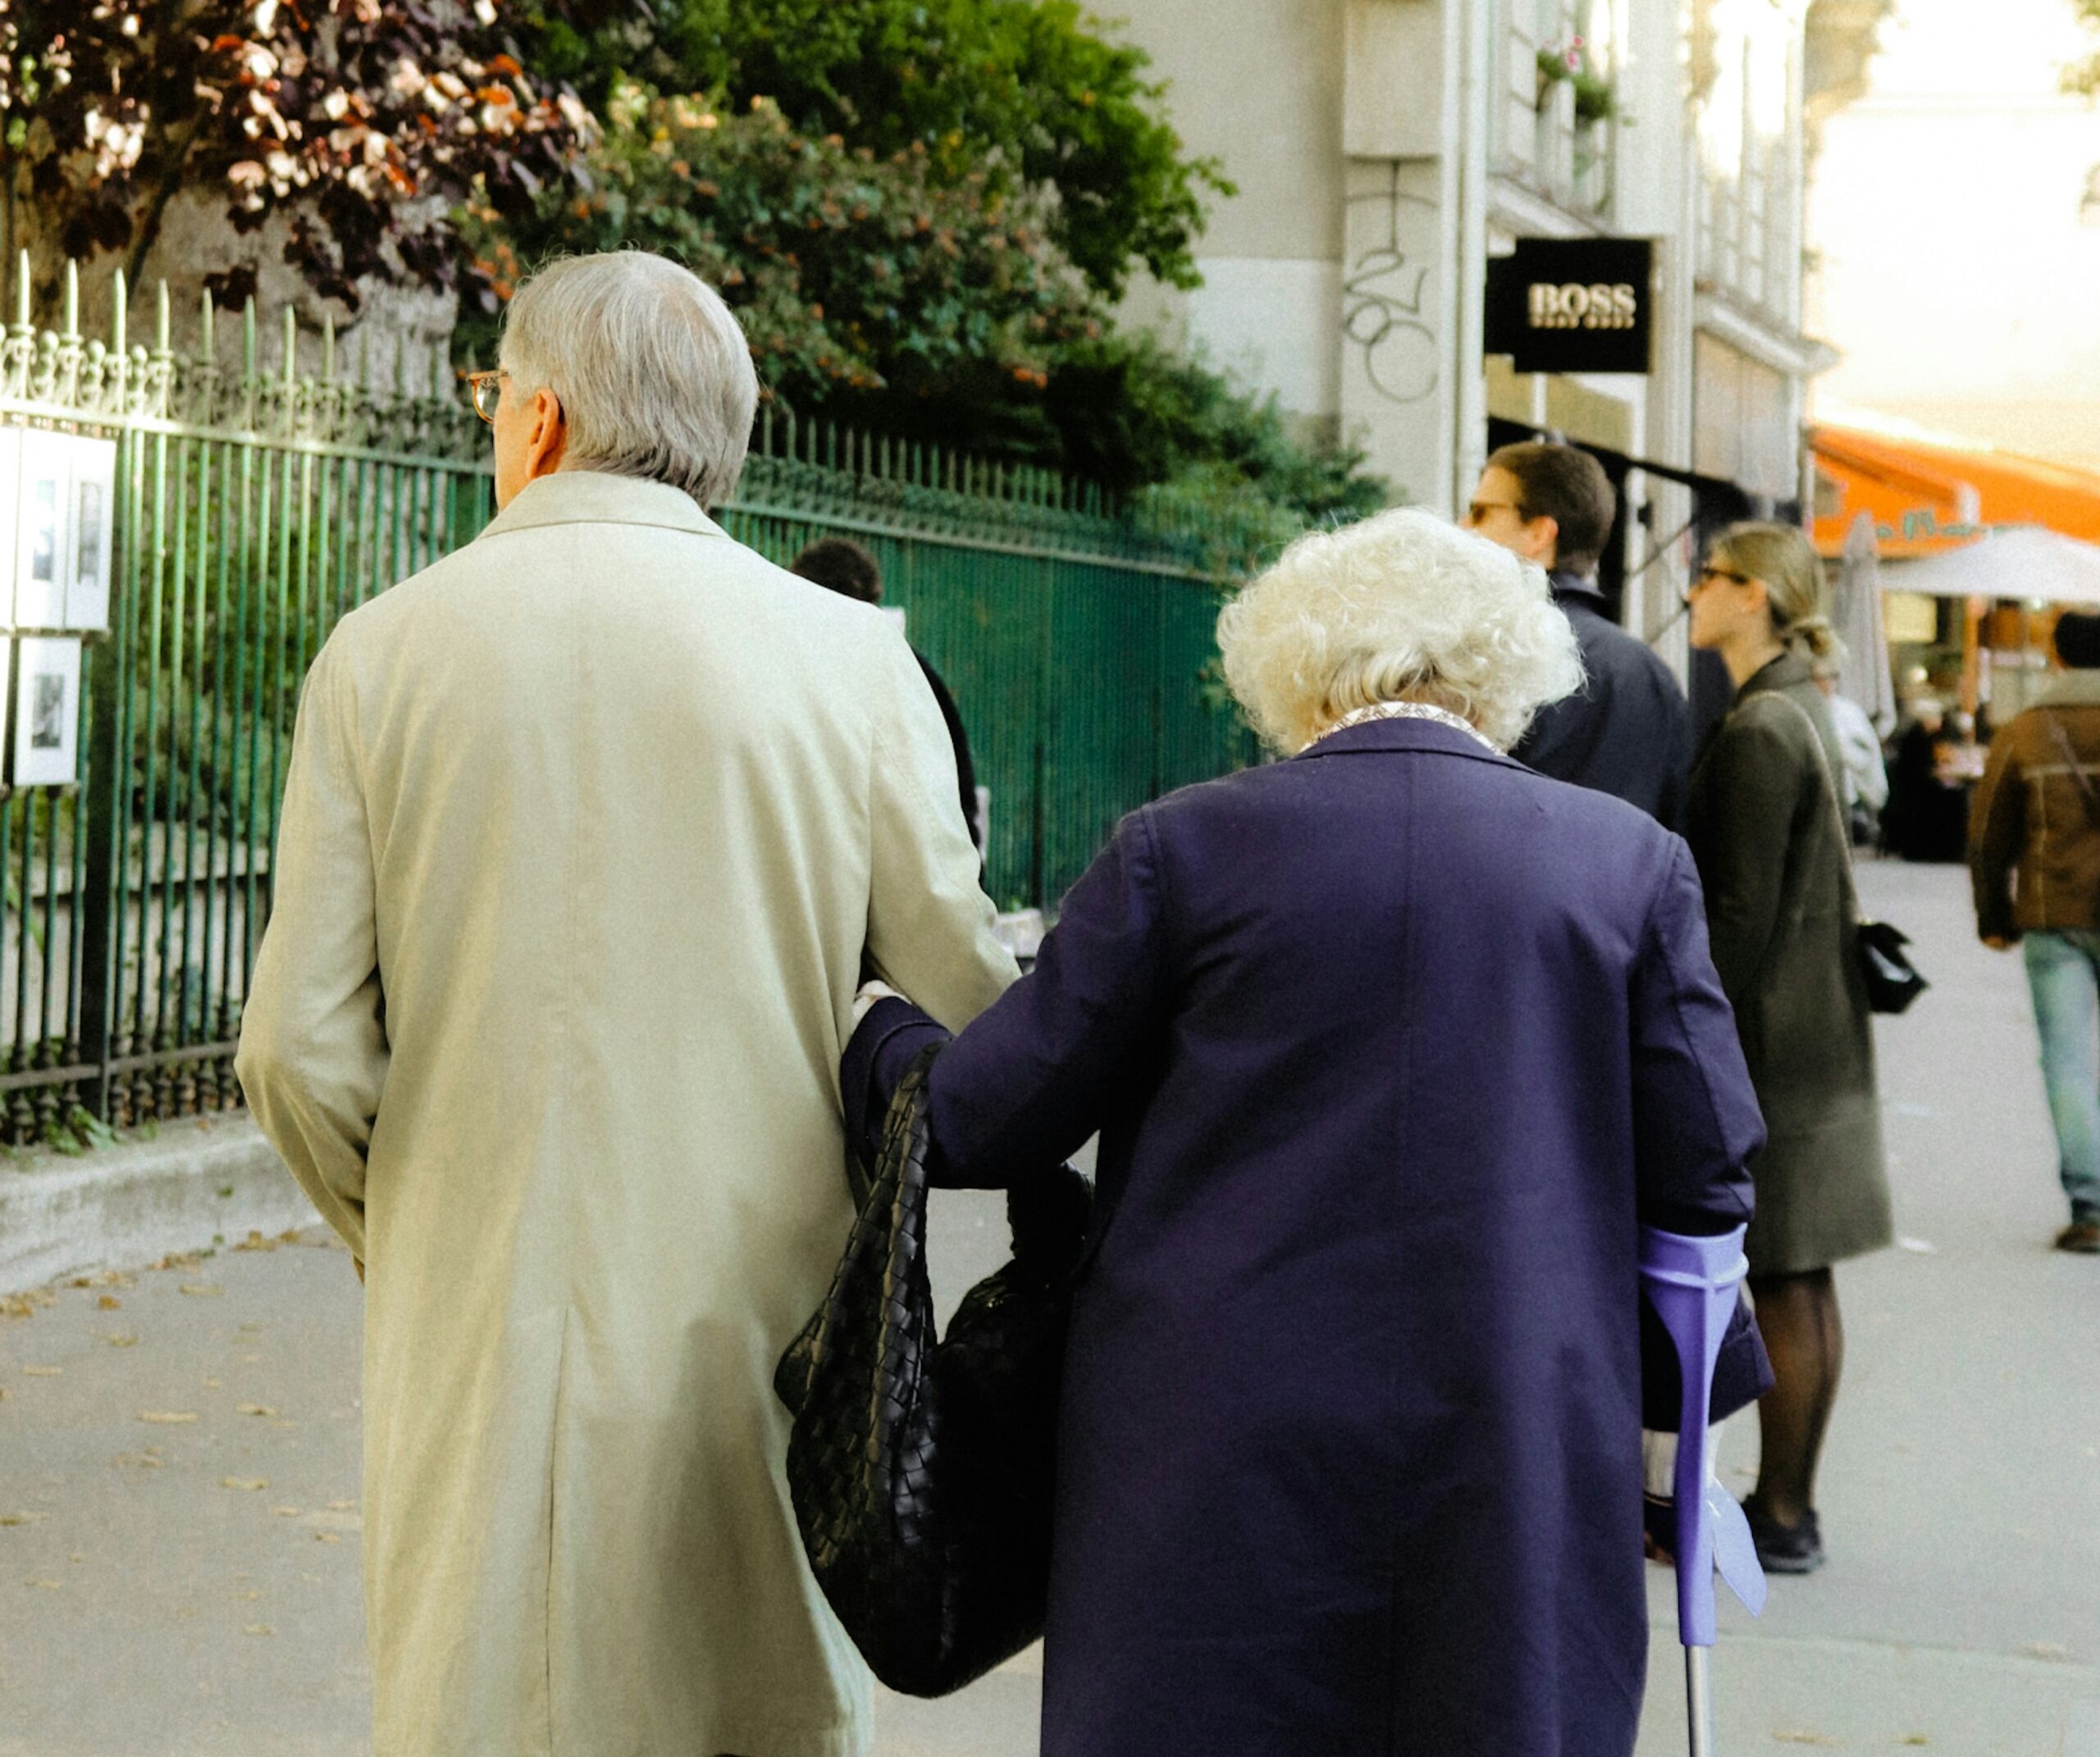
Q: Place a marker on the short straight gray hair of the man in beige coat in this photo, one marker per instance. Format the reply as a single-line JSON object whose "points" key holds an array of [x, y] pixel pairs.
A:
{"points": [[652, 371]]}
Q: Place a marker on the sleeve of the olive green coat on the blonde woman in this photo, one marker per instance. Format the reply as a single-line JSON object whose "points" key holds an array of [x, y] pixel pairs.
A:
{"points": [[1752, 786]]}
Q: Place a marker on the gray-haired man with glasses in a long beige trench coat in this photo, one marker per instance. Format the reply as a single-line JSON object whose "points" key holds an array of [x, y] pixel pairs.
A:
{"points": [[585, 837]]}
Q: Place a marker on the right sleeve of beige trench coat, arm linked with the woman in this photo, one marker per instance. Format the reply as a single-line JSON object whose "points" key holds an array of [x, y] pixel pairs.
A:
{"points": [[929, 923]]}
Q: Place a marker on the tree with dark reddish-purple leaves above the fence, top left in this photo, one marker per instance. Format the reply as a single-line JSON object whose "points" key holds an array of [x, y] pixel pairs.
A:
{"points": [[362, 123]]}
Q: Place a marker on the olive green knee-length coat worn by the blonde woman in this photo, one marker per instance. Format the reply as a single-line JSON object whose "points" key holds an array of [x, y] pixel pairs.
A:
{"points": [[1782, 912]]}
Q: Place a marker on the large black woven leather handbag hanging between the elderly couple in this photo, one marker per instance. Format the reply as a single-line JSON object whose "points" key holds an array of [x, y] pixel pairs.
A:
{"points": [[921, 1470]]}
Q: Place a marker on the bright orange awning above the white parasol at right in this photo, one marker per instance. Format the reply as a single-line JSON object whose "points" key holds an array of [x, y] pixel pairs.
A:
{"points": [[1933, 499]]}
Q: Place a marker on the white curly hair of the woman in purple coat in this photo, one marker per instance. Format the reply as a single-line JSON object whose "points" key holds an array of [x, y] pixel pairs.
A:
{"points": [[1402, 608]]}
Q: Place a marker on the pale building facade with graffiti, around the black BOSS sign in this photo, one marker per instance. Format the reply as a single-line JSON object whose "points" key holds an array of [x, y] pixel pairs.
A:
{"points": [[1387, 150]]}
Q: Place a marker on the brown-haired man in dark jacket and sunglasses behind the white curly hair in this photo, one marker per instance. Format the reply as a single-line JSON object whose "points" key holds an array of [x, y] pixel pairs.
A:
{"points": [[1626, 729]]}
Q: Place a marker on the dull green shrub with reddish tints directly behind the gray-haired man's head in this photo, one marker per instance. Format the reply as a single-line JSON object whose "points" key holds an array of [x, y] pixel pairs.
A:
{"points": [[856, 276]]}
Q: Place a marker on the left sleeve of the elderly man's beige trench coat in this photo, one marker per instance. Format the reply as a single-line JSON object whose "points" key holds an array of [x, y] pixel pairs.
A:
{"points": [[314, 1036]]}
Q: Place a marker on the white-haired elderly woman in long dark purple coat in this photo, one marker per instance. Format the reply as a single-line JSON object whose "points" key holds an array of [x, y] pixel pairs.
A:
{"points": [[1391, 1049]]}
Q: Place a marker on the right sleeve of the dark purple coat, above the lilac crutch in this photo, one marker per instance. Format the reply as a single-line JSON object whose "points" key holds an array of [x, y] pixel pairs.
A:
{"points": [[1696, 1130]]}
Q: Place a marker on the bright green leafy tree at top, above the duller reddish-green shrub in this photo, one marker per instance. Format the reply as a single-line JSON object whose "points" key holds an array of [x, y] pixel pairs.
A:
{"points": [[1026, 93]]}
